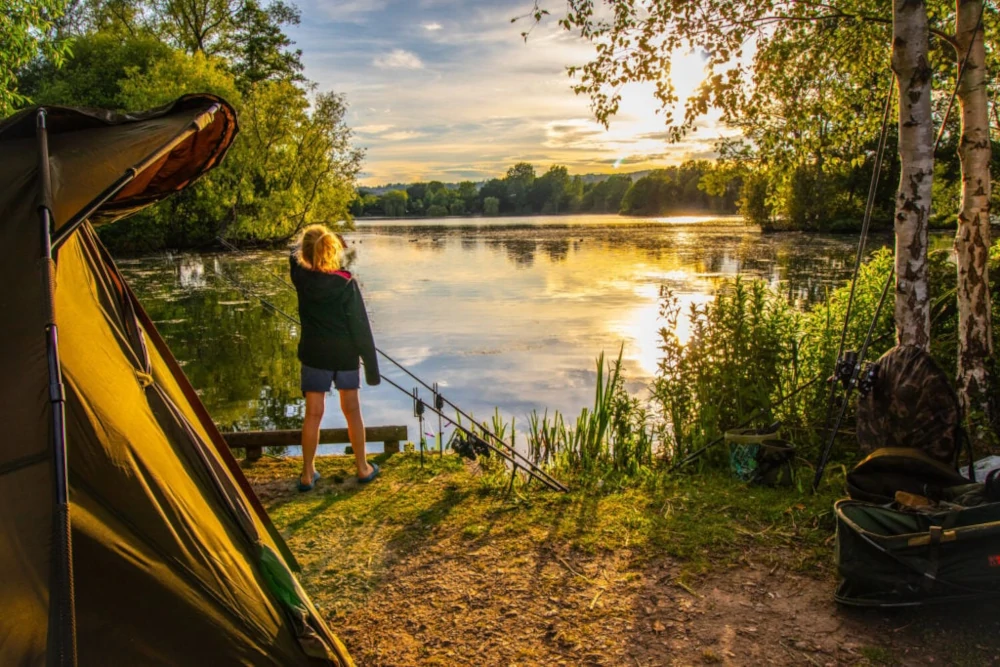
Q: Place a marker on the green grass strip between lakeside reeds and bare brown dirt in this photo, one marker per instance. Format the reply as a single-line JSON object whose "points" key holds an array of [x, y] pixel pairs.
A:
{"points": [[348, 535]]}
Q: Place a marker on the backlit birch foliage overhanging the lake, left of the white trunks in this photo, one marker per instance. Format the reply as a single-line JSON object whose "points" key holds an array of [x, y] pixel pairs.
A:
{"points": [[803, 82]]}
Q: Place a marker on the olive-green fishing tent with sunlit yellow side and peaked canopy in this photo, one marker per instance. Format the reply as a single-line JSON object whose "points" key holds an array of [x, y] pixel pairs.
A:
{"points": [[170, 558]]}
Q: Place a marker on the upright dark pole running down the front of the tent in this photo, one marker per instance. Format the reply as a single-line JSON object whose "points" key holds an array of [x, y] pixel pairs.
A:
{"points": [[62, 607]]}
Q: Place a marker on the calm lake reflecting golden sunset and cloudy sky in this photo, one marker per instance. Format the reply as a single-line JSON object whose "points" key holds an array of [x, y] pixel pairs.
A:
{"points": [[501, 312]]}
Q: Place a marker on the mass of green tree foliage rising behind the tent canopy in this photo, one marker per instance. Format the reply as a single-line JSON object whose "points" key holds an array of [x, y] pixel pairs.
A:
{"points": [[293, 162]]}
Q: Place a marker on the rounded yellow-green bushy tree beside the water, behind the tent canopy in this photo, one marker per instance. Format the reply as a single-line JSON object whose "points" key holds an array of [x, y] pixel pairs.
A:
{"points": [[292, 165]]}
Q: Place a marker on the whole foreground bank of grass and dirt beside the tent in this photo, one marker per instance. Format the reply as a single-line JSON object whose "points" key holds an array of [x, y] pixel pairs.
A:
{"points": [[431, 566]]}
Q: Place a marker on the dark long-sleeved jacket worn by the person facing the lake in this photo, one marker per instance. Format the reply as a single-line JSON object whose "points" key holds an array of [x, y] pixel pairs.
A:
{"points": [[335, 329]]}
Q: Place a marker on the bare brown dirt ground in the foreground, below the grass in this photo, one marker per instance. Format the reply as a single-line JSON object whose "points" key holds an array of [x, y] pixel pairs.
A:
{"points": [[472, 594]]}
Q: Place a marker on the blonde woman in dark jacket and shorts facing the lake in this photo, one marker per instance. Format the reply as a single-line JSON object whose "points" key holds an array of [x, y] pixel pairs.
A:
{"points": [[335, 335]]}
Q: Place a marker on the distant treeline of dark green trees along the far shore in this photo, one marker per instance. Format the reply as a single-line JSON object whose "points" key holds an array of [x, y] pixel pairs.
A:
{"points": [[521, 192]]}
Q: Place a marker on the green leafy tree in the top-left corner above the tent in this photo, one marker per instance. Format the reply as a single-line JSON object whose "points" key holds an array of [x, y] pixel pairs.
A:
{"points": [[27, 33]]}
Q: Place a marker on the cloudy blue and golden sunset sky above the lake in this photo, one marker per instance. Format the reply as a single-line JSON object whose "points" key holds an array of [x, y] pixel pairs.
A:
{"points": [[448, 90]]}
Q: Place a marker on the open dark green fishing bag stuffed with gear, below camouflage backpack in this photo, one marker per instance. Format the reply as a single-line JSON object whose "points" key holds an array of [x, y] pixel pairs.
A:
{"points": [[921, 535]]}
